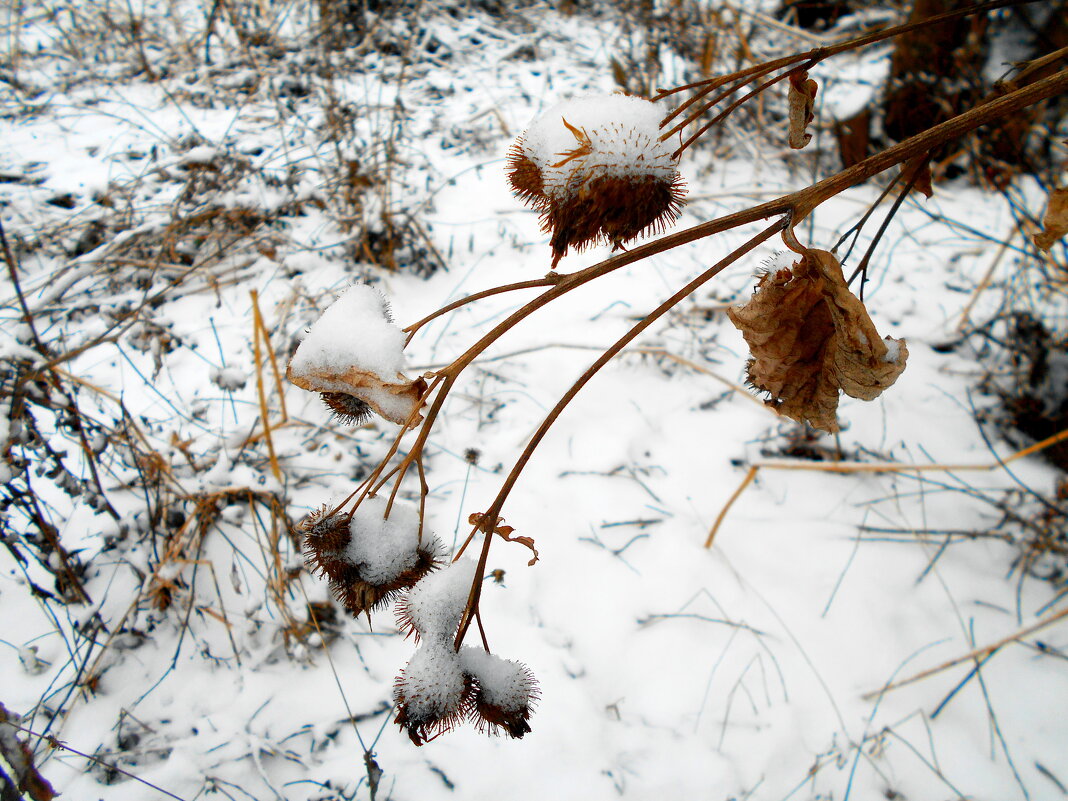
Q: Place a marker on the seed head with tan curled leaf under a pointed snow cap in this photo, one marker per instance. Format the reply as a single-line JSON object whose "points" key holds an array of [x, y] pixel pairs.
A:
{"points": [[354, 357]]}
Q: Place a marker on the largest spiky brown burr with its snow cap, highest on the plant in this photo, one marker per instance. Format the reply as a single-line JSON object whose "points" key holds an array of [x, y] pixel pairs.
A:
{"points": [[598, 170]]}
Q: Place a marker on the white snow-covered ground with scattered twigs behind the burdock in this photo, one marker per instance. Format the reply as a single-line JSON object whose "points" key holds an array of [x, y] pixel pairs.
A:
{"points": [[151, 216]]}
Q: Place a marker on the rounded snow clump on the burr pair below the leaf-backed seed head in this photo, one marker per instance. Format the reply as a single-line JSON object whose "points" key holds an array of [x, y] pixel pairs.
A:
{"points": [[383, 548]]}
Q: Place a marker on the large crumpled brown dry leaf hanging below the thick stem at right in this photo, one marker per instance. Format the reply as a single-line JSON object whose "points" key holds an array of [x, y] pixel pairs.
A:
{"points": [[810, 338]]}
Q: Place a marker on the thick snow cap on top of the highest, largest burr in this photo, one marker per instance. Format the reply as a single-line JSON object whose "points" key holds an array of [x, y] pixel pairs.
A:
{"points": [[624, 135]]}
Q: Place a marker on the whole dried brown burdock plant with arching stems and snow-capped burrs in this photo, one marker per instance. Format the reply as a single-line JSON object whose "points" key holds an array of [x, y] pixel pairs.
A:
{"points": [[600, 170]]}
